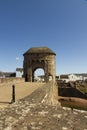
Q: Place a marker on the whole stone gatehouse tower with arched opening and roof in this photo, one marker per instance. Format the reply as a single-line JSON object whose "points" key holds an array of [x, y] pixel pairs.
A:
{"points": [[39, 57]]}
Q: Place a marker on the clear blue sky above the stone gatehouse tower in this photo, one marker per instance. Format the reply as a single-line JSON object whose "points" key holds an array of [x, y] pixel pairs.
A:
{"points": [[59, 24]]}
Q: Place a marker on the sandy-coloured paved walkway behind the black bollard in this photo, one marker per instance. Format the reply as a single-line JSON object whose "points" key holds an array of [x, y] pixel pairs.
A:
{"points": [[21, 90]]}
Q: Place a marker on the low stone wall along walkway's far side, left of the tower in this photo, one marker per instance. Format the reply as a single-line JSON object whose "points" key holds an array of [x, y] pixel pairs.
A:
{"points": [[8, 80]]}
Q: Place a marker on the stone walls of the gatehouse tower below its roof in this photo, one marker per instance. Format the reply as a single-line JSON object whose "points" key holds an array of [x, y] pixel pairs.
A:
{"points": [[35, 61]]}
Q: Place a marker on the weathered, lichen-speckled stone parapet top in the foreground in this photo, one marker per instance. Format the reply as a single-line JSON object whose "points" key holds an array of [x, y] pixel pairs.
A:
{"points": [[28, 114]]}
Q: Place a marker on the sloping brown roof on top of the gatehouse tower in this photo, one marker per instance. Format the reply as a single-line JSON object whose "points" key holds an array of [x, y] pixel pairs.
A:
{"points": [[39, 50]]}
